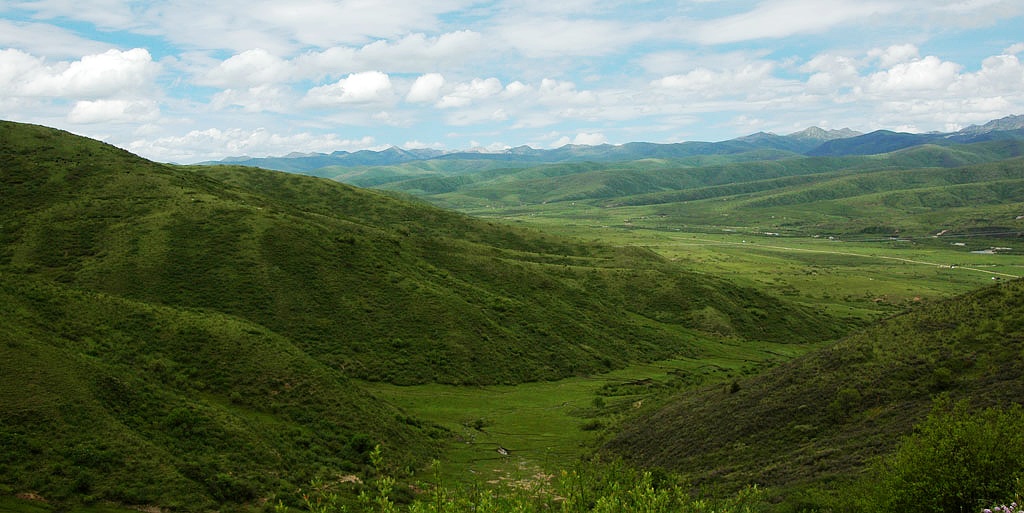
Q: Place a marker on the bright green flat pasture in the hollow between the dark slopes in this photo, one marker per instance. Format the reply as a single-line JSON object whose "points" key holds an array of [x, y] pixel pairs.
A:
{"points": [[546, 426]]}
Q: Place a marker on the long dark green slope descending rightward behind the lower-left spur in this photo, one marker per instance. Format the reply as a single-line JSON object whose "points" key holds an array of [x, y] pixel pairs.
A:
{"points": [[385, 289]]}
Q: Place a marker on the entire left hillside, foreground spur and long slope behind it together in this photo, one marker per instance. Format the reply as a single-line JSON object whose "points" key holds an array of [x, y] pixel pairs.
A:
{"points": [[186, 337]]}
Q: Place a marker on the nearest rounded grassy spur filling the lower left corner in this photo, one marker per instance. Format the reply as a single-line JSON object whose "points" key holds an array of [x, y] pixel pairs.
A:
{"points": [[109, 399]]}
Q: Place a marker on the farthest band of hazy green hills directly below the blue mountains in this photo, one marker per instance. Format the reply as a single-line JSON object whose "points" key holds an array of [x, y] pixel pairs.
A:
{"points": [[650, 182]]}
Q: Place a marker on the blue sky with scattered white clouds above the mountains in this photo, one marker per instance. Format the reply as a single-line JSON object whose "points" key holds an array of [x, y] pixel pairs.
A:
{"points": [[187, 80]]}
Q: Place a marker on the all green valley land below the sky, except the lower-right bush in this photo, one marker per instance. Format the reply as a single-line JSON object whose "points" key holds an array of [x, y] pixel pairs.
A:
{"points": [[552, 334]]}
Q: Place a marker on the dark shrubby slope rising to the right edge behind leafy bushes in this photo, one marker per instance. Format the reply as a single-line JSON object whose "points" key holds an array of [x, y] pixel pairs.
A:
{"points": [[823, 416]]}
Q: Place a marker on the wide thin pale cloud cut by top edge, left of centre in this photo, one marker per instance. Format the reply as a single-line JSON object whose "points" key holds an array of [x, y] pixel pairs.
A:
{"points": [[242, 25]]}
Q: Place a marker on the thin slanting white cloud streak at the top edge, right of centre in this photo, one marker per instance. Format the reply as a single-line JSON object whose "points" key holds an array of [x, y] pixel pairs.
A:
{"points": [[780, 19]]}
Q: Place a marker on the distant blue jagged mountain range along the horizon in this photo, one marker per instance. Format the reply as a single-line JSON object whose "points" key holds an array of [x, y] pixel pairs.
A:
{"points": [[812, 142]]}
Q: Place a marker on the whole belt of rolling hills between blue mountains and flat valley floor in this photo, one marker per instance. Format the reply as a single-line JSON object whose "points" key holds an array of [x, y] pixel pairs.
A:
{"points": [[917, 193]]}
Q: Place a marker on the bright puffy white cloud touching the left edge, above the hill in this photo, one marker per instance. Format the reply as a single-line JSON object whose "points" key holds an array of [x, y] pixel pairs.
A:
{"points": [[98, 76]]}
